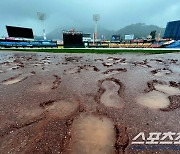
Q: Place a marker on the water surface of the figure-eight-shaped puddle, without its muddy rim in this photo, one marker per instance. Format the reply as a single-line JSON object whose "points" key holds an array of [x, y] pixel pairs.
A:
{"points": [[110, 97]]}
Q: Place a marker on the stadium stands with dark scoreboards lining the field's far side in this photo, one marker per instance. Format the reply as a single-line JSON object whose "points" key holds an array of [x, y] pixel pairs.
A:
{"points": [[20, 37]]}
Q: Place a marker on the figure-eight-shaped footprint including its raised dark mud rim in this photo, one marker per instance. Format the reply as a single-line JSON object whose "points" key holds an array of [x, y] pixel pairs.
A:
{"points": [[110, 93]]}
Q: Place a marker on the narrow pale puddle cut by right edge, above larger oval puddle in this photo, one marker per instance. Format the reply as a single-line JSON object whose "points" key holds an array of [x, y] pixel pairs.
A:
{"points": [[167, 89]]}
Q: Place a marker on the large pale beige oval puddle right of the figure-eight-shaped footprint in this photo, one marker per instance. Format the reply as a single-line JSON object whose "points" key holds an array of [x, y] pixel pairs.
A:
{"points": [[154, 99]]}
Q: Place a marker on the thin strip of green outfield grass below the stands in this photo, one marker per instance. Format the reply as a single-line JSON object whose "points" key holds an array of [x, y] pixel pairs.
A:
{"points": [[98, 51]]}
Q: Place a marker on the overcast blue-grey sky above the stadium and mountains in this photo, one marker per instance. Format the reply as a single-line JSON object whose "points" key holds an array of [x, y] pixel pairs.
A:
{"points": [[115, 14]]}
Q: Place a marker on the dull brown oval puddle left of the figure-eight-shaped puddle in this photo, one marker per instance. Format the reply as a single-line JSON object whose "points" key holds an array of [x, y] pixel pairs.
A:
{"points": [[62, 108]]}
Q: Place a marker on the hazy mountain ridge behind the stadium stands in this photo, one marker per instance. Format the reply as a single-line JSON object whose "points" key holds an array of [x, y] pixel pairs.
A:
{"points": [[140, 30]]}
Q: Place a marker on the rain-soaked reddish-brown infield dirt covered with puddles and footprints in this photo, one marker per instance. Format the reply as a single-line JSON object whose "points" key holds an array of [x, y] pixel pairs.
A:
{"points": [[87, 103]]}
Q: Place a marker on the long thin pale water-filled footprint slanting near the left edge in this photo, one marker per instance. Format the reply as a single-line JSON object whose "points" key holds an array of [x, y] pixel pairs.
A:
{"points": [[16, 79]]}
